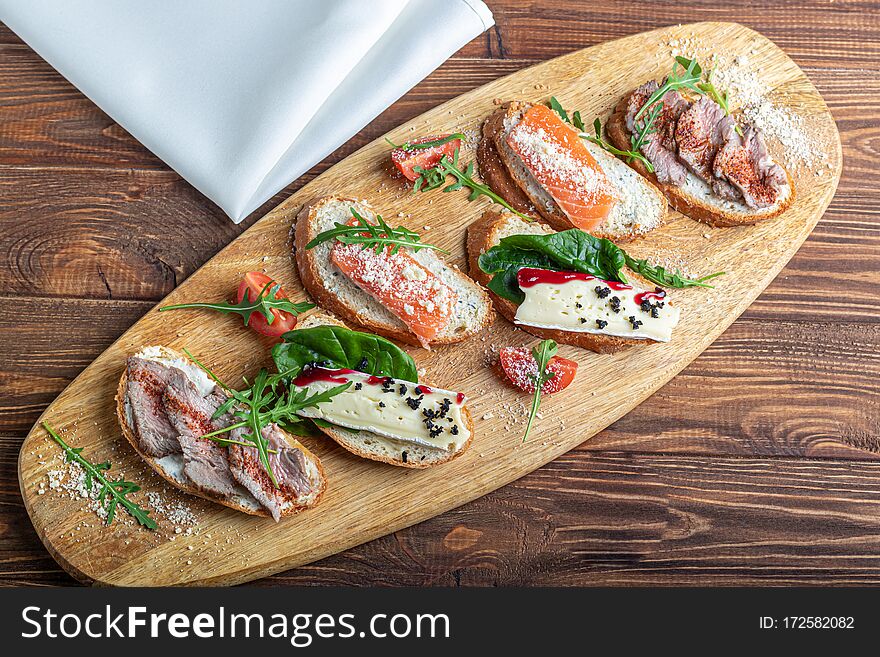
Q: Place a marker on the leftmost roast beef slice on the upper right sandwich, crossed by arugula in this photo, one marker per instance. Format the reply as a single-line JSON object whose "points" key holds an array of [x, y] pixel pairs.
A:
{"points": [[660, 146]]}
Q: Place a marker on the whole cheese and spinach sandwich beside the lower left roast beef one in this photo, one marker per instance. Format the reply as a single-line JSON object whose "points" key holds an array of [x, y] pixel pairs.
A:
{"points": [[384, 413]]}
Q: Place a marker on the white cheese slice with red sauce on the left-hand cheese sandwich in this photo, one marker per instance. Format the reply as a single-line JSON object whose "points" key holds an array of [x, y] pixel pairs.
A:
{"points": [[382, 408]]}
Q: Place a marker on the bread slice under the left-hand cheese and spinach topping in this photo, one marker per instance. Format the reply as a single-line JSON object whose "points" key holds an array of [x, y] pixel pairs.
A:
{"points": [[372, 446]]}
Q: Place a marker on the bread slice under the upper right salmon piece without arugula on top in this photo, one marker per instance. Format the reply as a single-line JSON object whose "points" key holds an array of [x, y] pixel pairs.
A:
{"points": [[641, 207]]}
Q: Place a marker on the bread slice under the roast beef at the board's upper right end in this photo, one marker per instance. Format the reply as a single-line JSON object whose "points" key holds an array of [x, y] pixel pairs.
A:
{"points": [[695, 198]]}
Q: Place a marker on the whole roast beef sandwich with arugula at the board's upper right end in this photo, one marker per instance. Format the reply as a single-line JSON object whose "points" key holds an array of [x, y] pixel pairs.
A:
{"points": [[711, 164]]}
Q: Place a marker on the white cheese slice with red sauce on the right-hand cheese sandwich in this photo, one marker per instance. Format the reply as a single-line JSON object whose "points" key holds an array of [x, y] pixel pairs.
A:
{"points": [[569, 301]]}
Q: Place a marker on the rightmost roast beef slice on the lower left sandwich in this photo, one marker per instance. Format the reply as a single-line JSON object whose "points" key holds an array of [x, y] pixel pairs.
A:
{"points": [[288, 465]]}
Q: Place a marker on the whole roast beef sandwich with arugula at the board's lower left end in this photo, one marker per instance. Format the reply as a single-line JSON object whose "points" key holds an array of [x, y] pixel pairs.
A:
{"points": [[188, 428]]}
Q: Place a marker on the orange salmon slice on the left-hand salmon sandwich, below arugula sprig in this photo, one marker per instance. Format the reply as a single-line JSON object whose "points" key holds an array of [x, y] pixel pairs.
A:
{"points": [[408, 289]]}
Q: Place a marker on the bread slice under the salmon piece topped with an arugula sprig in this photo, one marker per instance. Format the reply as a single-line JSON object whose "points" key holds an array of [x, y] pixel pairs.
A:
{"points": [[332, 290]]}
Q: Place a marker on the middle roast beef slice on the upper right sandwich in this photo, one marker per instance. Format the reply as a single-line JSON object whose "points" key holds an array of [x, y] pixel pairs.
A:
{"points": [[699, 135]]}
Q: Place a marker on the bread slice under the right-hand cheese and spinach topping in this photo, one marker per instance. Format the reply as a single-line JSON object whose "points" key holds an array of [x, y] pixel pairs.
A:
{"points": [[487, 232]]}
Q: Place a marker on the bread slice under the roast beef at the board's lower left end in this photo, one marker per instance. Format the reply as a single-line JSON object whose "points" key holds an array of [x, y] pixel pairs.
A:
{"points": [[171, 467]]}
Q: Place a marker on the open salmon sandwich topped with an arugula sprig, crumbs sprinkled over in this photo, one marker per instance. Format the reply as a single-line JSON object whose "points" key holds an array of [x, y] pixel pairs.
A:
{"points": [[384, 279]]}
